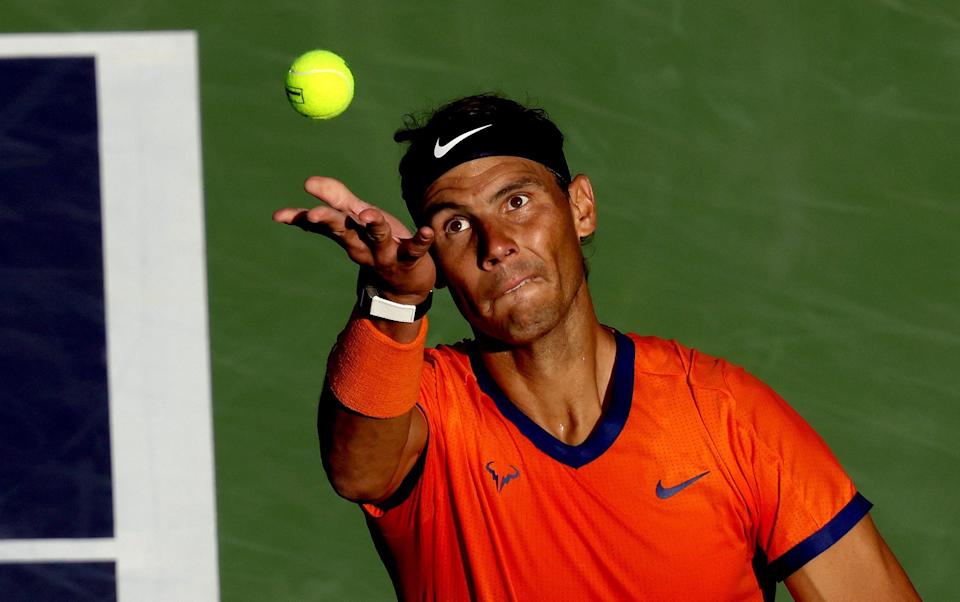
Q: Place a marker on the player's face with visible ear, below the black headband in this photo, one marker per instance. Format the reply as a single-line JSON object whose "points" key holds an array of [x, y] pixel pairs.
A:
{"points": [[508, 244]]}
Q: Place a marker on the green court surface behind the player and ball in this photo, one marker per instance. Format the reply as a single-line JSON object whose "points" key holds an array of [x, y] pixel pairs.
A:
{"points": [[778, 184]]}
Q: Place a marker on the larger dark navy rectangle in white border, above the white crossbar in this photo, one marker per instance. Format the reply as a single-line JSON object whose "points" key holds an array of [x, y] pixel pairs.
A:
{"points": [[55, 473]]}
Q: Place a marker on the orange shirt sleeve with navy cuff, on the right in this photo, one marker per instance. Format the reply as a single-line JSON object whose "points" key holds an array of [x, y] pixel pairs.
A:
{"points": [[804, 500]]}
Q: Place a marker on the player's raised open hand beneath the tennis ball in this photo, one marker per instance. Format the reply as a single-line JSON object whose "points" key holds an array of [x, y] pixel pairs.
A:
{"points": [[371, 237]]}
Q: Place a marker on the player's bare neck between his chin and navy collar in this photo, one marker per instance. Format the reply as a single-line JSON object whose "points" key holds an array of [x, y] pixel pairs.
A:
{"points": [[560, 379]]}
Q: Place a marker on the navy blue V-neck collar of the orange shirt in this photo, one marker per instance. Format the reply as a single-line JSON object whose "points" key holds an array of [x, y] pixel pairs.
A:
{"points": [[604, 434]]}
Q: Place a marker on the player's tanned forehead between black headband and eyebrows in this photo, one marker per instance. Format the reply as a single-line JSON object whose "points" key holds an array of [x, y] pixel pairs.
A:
{"points": [[482, 177]]}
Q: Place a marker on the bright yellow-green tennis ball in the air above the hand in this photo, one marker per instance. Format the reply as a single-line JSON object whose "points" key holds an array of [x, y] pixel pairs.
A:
{"points": [[319, 85]]}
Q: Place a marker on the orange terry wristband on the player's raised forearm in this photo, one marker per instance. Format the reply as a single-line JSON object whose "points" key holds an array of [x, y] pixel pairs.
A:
{"points": [[374, 375]]}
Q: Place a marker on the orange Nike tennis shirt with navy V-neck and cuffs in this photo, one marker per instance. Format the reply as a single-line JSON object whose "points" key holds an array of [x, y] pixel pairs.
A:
{"points": [[698, 483]]}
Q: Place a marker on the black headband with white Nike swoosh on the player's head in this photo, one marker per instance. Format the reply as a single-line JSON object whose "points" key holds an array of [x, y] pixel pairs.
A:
{"points": [[451, 144]]}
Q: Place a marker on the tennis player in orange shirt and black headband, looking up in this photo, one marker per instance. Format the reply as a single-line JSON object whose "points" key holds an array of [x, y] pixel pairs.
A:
{"points": [[553, 457]]}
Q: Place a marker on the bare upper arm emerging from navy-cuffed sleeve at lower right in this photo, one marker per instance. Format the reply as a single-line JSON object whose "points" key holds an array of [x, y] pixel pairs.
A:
{"points": [[859, 566]]}
